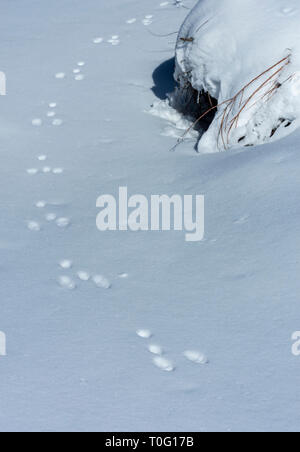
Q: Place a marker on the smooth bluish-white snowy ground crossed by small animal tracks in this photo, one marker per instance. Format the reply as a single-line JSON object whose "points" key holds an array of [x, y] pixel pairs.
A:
{"points": [[74, 360]]}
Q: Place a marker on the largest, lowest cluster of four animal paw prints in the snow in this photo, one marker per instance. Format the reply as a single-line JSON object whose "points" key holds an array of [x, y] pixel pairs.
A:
{"points": [[161, 361]]}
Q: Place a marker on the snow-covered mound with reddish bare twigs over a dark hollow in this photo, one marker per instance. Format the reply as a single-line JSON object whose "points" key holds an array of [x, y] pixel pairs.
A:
{"points": [[243, 55]]}
